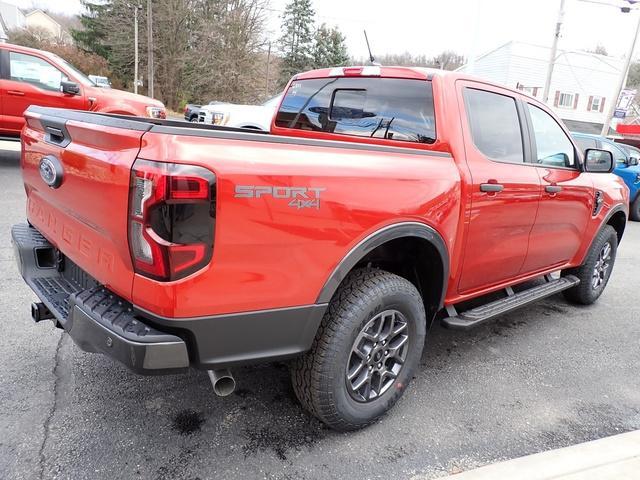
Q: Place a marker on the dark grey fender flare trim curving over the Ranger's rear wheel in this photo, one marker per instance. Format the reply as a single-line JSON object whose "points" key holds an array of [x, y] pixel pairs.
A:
{"points": [[380, 237]]}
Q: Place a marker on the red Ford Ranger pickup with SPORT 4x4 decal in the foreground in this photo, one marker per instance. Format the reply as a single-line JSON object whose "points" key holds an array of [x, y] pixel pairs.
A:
{"points": [[384, 199]]}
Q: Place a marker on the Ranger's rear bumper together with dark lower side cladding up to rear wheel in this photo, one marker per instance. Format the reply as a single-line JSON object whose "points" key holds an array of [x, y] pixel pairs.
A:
{"points": [[99, 321]]}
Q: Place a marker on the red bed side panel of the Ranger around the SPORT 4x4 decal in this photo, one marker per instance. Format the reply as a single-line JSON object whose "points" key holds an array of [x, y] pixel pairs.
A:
{"points": [[268, 254]]}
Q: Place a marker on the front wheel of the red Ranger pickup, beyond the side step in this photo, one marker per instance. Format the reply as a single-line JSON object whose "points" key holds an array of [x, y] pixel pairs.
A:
{"points": [[595, 272]]}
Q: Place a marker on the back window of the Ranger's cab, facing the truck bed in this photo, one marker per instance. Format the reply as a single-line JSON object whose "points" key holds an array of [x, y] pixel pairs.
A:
{"points": [[388, 108]]}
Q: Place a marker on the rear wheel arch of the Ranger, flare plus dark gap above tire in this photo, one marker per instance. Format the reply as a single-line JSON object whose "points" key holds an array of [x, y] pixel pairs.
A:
{"points": [[412, 250]]}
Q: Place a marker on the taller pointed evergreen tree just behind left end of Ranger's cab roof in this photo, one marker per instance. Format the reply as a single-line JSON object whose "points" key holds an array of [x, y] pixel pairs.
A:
{"points": [[296, 42]]}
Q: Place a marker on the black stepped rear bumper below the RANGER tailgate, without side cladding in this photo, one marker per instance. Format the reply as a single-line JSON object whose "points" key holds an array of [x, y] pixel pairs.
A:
{"points": [[96, 320]]}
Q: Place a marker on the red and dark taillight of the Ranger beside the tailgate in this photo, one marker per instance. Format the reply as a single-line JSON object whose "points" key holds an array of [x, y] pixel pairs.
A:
{"points": [[171, 219]]}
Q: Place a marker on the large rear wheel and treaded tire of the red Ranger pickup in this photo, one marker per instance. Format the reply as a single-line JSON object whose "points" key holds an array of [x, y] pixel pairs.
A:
{"points": [[365, 353]]}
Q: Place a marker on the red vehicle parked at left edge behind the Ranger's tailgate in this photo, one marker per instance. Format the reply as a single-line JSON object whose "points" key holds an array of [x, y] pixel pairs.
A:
{"points": [[35, 77]]}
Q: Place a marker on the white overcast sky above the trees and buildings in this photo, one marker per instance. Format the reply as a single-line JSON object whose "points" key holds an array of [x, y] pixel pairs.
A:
{"points": [[465, 26]]}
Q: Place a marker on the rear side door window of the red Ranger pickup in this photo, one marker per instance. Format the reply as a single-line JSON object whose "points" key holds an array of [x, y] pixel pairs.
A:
{"points": [[495, 125]]}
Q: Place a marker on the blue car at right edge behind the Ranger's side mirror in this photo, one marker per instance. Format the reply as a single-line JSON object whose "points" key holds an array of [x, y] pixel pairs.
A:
{"points": [[626, 158]]}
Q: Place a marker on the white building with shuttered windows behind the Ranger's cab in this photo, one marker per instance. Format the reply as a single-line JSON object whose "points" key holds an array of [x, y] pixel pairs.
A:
{"points": [[582, 84]]}
